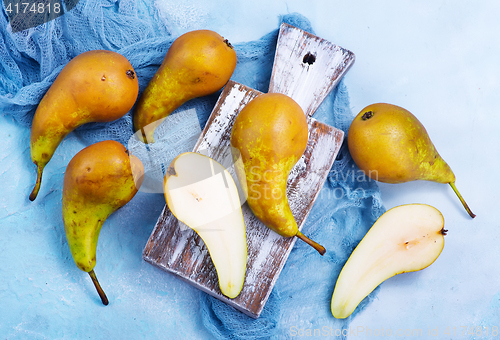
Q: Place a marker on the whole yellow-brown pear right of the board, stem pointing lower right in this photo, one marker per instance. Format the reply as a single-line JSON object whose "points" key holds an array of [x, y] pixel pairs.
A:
{"points": [[389, 144]]}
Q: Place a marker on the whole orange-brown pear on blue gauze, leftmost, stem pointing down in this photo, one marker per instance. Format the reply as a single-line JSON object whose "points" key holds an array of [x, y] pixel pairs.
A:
{"points": [[95, 86]]}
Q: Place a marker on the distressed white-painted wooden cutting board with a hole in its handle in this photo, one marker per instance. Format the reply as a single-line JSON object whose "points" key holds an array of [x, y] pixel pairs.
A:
{"points": [[305, 68]]}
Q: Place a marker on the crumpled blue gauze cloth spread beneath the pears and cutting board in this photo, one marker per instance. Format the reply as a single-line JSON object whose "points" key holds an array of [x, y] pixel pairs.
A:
{"points": [[348, 204]]}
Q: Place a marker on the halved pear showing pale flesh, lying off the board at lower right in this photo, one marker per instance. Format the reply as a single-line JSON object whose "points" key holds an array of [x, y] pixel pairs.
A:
{"points": [[406, 238]]}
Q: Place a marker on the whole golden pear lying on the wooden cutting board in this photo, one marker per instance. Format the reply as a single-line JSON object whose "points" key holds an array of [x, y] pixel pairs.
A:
{"points": [[270, 135]]}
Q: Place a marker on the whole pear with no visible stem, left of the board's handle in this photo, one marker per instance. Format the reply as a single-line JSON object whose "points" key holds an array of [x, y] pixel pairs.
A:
{"points": [[198, 63]]}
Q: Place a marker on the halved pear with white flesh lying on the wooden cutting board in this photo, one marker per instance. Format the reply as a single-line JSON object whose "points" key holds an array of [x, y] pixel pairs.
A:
{"points": [[201, 193]]}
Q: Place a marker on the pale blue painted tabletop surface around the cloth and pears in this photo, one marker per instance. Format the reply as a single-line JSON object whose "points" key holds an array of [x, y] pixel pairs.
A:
{"points": [[436, 58]]}
